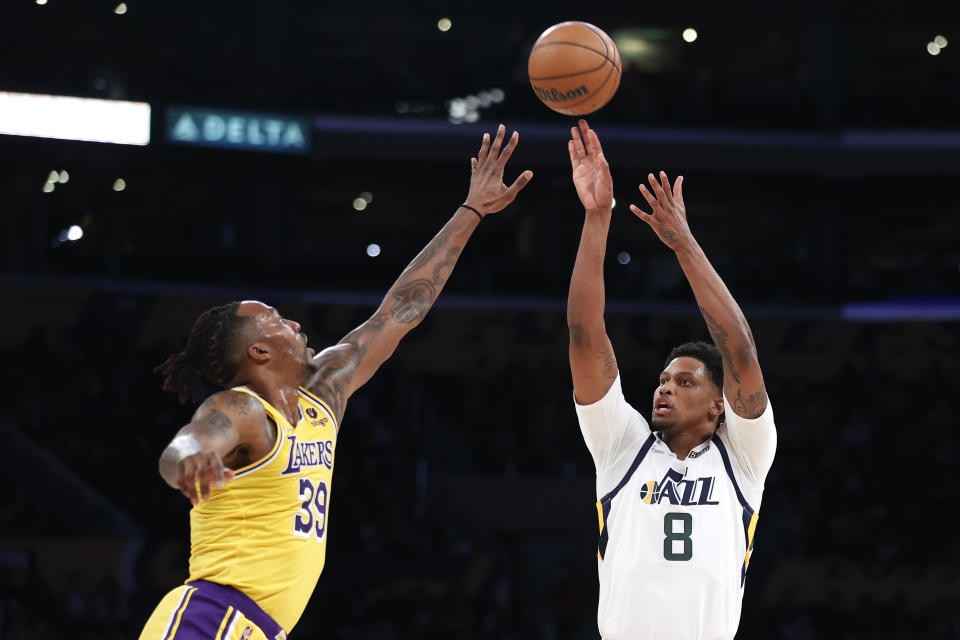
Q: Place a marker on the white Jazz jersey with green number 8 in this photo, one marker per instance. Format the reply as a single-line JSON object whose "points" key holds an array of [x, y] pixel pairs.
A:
{"points": [[675, 535]]}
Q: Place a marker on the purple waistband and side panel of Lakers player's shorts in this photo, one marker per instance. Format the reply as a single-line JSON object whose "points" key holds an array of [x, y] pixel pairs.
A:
{"points": [[212, 601]]}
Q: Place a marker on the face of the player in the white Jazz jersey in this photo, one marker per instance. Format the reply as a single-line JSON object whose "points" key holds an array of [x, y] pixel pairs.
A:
{"points": [[685, 395]]}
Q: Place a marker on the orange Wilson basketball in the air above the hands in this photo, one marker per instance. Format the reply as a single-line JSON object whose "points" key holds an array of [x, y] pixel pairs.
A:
{"points": [[574, 68]]}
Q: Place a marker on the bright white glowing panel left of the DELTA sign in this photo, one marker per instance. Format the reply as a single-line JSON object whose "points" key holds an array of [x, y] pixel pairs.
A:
{"points": [[69, 118]]}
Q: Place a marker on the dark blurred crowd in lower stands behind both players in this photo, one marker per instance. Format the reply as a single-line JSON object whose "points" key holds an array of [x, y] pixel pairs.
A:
{"points": [[855, 540]]}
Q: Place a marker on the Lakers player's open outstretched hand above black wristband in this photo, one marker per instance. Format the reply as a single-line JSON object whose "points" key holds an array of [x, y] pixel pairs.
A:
{"points": [[488, 193]]}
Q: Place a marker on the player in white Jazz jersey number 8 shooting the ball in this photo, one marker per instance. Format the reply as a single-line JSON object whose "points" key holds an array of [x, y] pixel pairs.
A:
{"points": [[678, 498]]}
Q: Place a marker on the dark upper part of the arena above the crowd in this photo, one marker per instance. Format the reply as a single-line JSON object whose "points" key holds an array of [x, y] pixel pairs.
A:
{"points": [[762, 113]]}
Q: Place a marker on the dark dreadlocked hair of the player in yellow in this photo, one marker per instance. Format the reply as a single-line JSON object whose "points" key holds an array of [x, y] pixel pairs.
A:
{"points": [[209, 361]]}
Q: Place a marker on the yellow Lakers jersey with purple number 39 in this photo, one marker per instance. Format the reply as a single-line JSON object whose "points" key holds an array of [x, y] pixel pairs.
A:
{"points": [[265, 531]]}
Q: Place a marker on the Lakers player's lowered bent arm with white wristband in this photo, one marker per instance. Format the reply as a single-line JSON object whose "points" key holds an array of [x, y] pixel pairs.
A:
{"points": [[229, 425]]}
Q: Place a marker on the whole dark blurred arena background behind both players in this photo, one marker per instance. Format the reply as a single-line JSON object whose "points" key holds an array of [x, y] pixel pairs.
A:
{"points": [[819, 142]]}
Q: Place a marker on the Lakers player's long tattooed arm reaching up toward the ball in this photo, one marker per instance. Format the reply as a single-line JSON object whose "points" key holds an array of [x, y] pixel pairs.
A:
{"points": [[346, 366]]}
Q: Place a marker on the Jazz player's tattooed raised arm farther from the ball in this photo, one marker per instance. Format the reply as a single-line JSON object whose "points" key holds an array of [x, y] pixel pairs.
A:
{"points": [[742, 378]]}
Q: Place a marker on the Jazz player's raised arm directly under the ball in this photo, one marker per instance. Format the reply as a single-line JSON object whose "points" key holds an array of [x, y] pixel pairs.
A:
{"points": [[592, 362]]}
